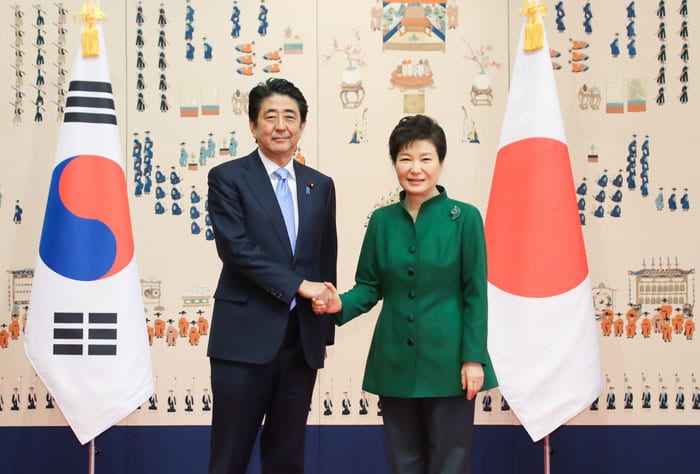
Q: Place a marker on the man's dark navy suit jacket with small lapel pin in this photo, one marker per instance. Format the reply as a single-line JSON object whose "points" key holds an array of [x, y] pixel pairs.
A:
{"points": [[260, 276]]}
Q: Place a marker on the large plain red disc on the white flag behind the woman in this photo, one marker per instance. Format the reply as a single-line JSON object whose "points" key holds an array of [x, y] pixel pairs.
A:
{"points": [[533, 232]]}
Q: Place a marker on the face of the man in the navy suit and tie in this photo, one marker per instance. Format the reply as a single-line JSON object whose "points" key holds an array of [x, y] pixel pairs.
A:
{"points": [[278, 128]]}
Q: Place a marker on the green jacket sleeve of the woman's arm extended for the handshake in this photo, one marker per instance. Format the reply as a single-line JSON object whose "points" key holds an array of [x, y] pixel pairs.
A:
{"points": [[367, 290]]}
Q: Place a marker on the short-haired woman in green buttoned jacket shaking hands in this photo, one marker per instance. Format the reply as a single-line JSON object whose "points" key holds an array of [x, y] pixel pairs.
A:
{"points": [[425, 257]]}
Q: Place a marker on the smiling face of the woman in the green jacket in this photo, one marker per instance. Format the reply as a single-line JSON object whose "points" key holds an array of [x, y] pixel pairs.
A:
{"points": [[418, 168]]}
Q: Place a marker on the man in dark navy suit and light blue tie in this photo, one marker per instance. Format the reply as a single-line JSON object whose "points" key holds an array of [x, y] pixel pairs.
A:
{"points": [[276, 237]]}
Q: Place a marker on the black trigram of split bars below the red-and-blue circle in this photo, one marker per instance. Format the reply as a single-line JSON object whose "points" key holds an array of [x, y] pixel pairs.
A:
{"points": [[69, 333]]}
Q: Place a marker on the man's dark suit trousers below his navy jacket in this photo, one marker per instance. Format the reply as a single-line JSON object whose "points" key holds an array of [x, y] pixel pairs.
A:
{"points": [[244, 394]]}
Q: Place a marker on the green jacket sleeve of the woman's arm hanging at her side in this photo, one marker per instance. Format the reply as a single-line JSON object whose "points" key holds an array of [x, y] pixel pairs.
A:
{"points": [[473, 276]]}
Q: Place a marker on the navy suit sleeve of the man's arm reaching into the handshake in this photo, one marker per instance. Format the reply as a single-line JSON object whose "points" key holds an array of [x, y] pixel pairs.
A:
{"points": [[237, 250]]}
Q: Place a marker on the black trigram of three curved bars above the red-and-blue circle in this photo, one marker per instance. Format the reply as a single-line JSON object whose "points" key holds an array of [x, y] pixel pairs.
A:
{"points": [[90, 102]]}
